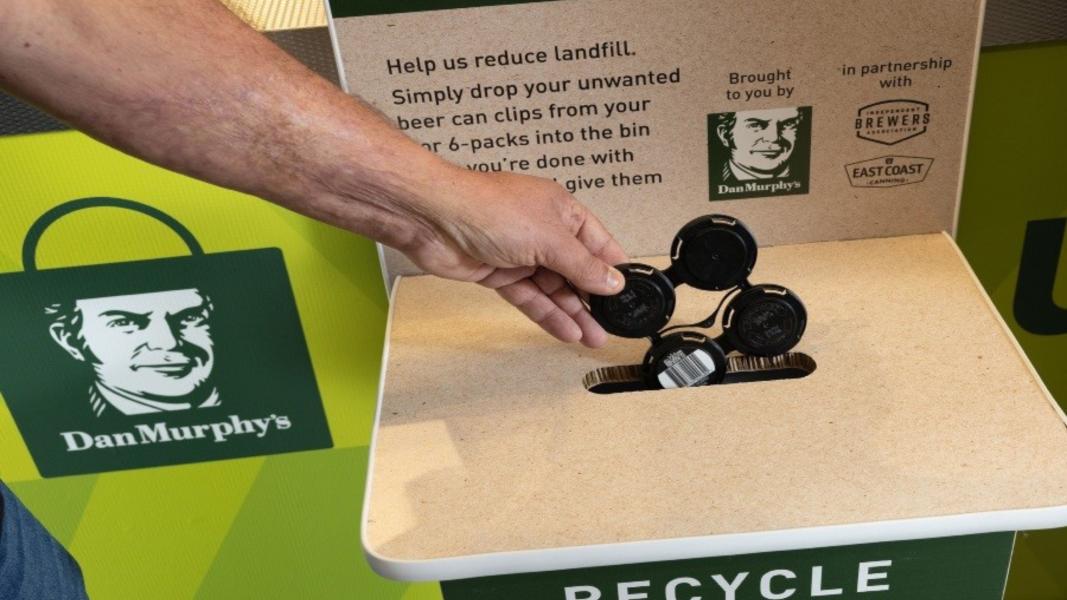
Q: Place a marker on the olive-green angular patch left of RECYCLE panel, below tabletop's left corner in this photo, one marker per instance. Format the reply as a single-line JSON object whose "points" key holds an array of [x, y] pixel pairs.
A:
{"points": [[298, 534]]}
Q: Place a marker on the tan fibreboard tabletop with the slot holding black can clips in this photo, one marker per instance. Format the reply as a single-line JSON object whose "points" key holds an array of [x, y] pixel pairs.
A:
{"points": [[922, 410]]}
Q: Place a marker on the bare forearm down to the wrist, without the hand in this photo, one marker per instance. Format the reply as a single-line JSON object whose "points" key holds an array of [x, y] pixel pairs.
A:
{"points": [[189, 87]]}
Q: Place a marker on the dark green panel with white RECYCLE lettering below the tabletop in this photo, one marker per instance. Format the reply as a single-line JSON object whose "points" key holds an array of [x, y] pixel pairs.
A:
{"points": [[969, 567]]}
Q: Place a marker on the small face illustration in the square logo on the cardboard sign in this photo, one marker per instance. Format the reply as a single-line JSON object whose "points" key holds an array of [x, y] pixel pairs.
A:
{"points": [[763, 140]]}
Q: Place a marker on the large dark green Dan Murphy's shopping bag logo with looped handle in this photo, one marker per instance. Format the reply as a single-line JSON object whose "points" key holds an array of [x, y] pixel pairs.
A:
{"points": [[155, 362]]}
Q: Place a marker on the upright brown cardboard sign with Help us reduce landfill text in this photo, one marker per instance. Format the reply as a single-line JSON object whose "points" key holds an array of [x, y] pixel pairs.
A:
{"points": [[654, 114]]}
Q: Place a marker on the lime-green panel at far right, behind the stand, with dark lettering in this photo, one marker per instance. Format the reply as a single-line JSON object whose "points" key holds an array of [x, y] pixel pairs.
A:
{"points": [[1015, 169]]}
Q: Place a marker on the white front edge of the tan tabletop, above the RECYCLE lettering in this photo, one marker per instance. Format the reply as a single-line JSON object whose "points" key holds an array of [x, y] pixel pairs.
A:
{"points": [[710, 547]]}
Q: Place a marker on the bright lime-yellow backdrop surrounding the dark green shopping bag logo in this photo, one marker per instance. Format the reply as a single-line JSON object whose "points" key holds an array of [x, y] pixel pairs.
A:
{"points": [[343, 328]]}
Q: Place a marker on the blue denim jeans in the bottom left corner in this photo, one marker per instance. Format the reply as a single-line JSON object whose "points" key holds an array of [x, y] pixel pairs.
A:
{"points": [[34, 566]]}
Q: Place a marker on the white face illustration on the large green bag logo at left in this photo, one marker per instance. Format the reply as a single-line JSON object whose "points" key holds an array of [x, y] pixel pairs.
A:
{"points": [[155, 346]]}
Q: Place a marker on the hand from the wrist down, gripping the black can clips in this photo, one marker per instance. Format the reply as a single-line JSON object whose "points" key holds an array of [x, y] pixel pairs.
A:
{"points": [[527, 239]]}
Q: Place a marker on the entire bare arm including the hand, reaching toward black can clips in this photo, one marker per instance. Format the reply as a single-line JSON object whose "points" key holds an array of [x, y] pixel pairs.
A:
{"points": [[187, 86]]}
